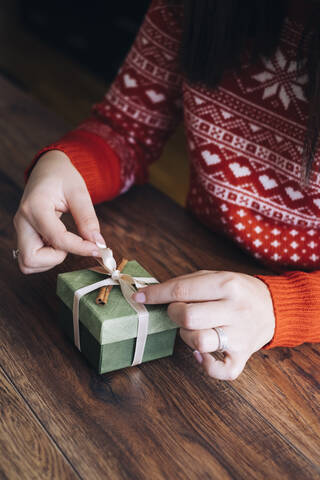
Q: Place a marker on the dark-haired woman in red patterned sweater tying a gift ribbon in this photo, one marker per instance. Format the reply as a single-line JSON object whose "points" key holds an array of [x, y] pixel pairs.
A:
{"points": [[251, 115]]}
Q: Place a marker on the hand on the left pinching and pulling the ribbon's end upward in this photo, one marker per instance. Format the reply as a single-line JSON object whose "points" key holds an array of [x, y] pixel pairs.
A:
{"points": [[54, 187]]}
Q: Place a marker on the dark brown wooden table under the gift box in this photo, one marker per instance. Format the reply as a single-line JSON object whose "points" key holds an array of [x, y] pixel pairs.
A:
{"points": [[161, 420]]}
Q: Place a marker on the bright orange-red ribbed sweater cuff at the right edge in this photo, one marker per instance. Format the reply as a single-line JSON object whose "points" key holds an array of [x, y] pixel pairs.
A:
{"points": [[296, 303]]}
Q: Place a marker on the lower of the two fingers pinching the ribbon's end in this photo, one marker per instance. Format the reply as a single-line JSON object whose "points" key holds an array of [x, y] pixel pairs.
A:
{"points": [[54, 232]]}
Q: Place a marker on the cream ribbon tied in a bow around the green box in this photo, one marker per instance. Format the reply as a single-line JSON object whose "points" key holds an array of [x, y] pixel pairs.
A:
{"points": [[128, 285]]}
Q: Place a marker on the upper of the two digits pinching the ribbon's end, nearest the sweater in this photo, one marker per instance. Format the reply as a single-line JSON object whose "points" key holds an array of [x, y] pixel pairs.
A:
{"points": [[84, 215]]}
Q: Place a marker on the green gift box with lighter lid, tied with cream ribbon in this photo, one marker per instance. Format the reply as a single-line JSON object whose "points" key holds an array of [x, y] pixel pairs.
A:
{"points": [[108, 332]]}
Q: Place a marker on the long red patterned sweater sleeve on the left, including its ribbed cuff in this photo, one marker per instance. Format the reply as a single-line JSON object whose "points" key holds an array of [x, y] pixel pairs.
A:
{"points": [[127, 130]]}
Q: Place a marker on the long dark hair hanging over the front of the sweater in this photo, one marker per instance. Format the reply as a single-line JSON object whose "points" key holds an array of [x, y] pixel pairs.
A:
{"points": [[216, 33]]}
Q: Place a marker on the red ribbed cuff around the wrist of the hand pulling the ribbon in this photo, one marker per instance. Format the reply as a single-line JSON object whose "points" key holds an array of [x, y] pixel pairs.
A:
{"points": [[93, 158]]}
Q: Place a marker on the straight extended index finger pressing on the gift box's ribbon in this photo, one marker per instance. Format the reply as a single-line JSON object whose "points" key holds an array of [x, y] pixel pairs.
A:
{"points": [[204, 287]]}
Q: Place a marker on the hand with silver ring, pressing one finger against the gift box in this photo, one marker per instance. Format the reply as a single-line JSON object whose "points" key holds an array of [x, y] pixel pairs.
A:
{"points": [[199, 302]]}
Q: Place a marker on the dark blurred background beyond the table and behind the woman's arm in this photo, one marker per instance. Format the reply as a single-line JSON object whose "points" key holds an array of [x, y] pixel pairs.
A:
{"points": [[65, 55]]}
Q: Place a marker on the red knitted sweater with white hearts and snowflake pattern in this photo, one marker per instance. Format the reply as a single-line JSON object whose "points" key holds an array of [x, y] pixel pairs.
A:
{"points": [[245, 142]]}
